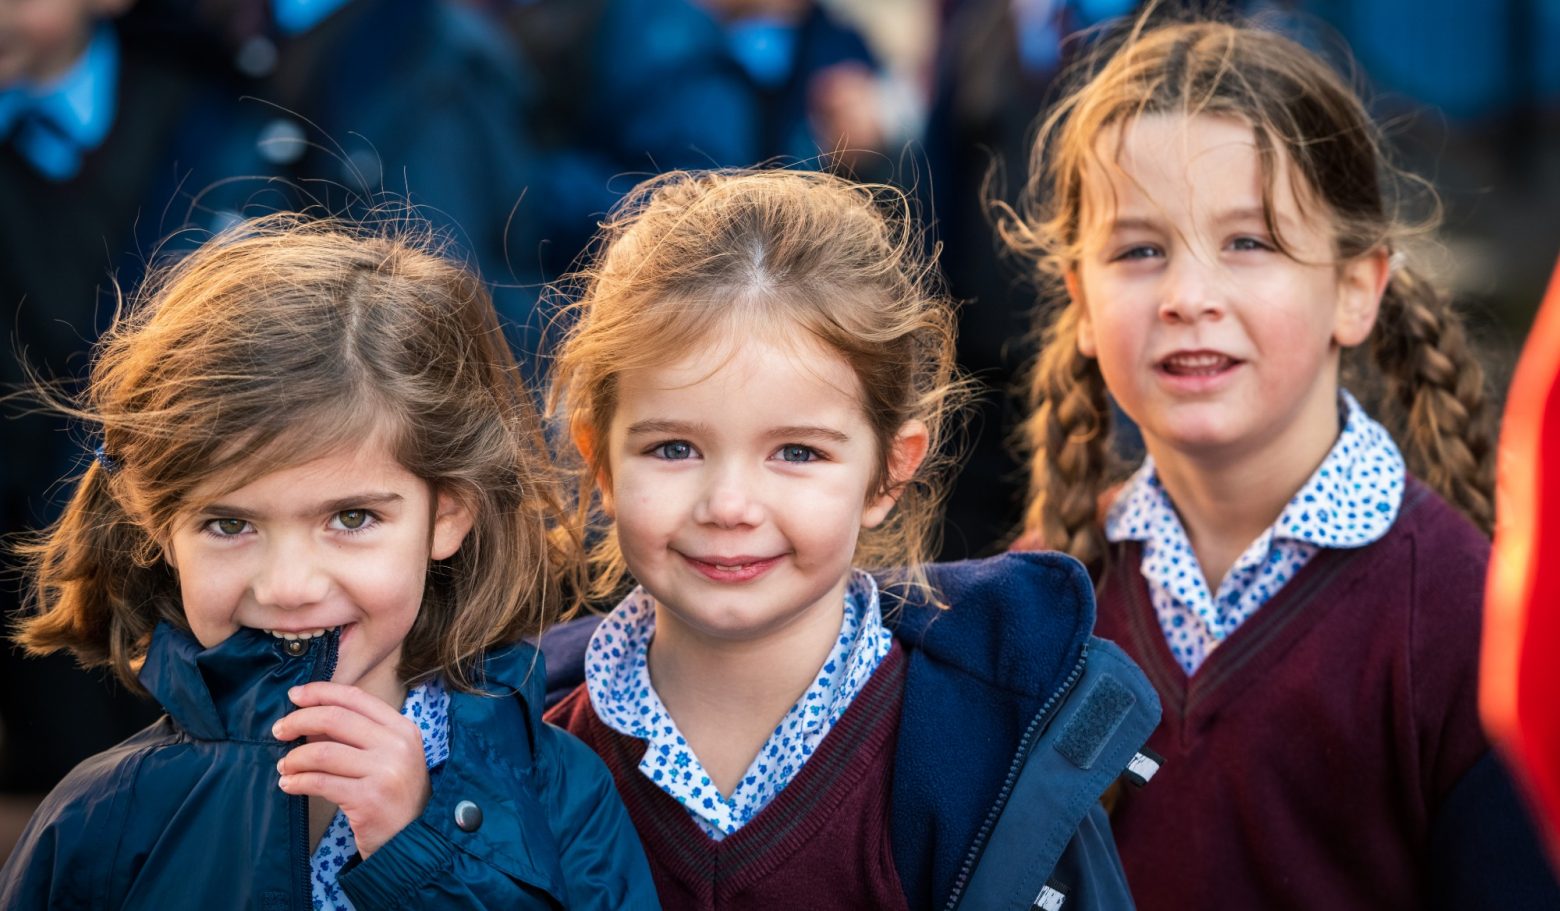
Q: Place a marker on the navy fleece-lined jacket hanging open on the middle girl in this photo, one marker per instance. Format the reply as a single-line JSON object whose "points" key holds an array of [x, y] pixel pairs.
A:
{"points": [[1015, 721]]}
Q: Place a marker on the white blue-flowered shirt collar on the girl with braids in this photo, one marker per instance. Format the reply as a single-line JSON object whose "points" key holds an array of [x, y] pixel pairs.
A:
{"points": [[1350, 502]]}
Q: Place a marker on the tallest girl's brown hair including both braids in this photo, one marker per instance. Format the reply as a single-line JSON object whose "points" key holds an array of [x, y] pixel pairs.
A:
{"points": [[1431, 388]]}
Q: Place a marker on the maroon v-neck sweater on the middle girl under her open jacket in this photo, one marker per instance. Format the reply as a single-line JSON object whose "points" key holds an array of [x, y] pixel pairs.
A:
{"points": [[823, 843]]}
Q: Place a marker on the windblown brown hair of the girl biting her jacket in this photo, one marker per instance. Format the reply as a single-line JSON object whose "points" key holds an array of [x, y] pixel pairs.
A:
{"points": [[278, 342]]}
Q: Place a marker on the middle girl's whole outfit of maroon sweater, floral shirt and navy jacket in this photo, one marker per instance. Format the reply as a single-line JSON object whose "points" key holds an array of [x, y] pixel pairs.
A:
{"points": [[965, 771]]}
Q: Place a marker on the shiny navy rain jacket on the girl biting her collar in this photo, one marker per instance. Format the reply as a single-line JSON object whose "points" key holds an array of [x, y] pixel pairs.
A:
{"points": [[188, 814]]}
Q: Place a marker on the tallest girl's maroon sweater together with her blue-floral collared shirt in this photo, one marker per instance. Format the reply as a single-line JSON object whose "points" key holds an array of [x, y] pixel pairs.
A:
{"points": [[1321, 740]]}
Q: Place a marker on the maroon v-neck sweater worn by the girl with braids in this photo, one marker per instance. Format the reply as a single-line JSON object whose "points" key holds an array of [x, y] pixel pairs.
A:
{"points": [[1306, 759]]}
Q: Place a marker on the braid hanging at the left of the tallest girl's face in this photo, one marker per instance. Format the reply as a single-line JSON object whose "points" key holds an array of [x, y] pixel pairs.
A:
{"points": [[1068, 436]]}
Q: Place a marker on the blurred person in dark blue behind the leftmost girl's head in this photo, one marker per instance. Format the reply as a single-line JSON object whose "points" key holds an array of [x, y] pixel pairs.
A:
{"points": [[378, 102]]}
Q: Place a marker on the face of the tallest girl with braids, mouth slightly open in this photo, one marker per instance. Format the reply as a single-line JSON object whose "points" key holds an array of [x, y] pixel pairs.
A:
{"points": [[1210, 338]]}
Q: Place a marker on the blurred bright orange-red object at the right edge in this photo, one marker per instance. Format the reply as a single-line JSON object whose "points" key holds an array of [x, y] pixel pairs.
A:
{"points": [[1520, 679]]}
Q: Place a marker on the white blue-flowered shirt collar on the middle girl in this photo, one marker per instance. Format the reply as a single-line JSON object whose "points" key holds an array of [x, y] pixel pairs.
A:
{"points": [[619, 682]]}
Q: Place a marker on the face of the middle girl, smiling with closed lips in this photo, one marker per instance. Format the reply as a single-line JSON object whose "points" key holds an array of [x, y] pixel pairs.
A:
{"points": [[739, 495]]}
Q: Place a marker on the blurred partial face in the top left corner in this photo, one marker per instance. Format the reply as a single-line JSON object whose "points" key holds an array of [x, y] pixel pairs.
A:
{"points": [[40, 40]]}
